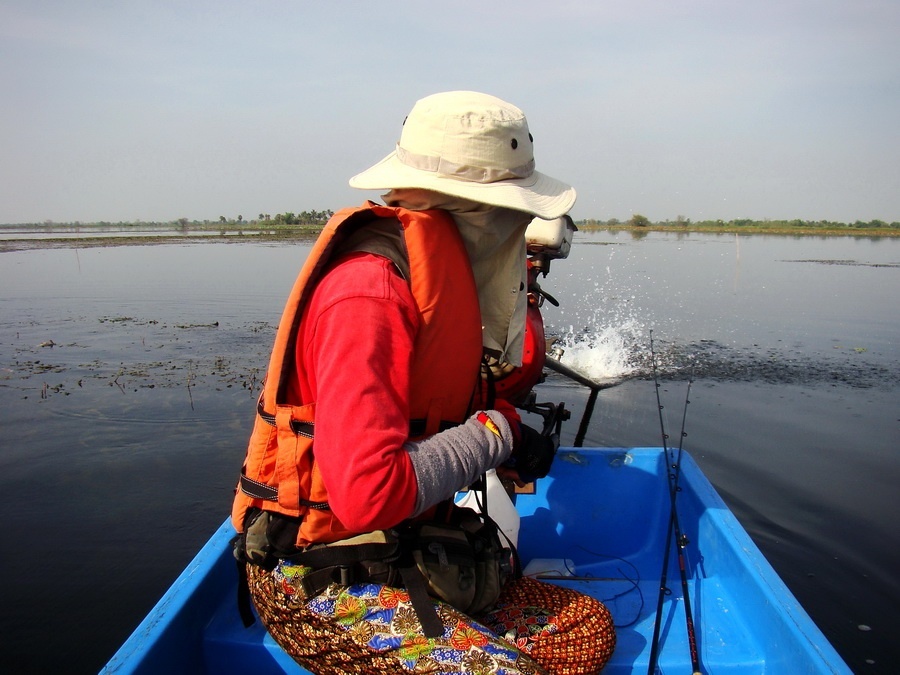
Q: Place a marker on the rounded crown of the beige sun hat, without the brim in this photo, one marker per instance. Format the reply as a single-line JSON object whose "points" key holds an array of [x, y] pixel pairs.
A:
{"points": [[469, 136]]}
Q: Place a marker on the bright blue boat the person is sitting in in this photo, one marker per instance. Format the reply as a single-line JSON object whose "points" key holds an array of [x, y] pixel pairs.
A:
{"points": [[599, 524]]}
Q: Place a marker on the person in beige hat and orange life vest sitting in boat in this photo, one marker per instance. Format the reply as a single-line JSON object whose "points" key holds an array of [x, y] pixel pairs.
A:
{"points": [[377, 409]]}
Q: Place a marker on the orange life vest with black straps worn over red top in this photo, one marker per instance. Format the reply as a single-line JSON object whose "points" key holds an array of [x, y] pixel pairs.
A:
{"points": [[279, 473]]}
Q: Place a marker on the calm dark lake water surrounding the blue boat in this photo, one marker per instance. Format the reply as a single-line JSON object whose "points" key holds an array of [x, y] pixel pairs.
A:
{"points": [[128, 378]]}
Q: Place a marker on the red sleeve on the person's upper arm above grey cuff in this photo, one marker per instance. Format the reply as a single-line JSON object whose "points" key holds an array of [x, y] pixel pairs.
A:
{"points": [[355, 345]]}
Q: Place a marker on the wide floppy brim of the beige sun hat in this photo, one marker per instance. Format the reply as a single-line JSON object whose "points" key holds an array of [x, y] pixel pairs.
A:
{"points": [[538, 194]]}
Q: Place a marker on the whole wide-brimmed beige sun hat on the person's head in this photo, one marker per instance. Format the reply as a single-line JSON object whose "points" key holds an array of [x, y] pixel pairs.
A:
{"points": [[474, 146]]}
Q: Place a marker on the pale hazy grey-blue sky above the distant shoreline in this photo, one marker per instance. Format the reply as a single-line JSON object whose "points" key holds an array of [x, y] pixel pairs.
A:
{"points": [[726, 109]]}
